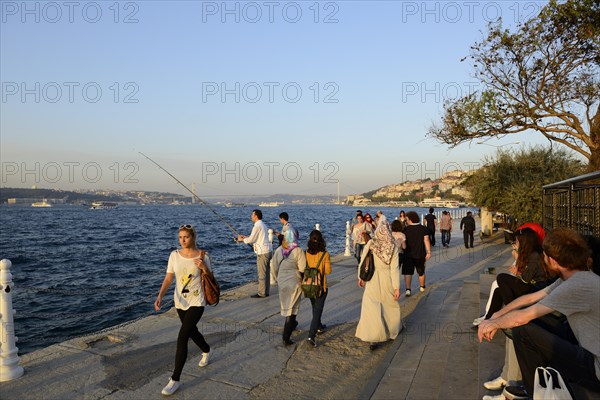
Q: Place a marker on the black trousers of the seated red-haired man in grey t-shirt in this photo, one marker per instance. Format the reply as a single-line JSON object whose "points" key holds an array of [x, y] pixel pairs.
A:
{"points": [[549, 342]]}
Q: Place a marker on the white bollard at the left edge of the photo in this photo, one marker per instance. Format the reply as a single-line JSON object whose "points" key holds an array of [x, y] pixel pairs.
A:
{"points": [[9, 360]]}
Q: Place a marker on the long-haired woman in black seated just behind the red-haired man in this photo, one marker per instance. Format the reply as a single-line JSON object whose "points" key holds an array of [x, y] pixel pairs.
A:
{"points": [[529, 271]]}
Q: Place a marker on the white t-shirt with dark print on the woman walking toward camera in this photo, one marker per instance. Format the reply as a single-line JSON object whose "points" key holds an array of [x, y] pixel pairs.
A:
{"points": [[188, 290]]}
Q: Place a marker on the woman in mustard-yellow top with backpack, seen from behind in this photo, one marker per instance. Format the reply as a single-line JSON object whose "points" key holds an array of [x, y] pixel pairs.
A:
{"points": [[316, 253]]}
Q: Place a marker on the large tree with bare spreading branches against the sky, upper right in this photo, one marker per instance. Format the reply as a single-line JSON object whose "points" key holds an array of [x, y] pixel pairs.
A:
{"points": [[545, 77]]}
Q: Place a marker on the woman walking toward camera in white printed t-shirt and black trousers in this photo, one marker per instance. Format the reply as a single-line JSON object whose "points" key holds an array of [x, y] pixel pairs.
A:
{"points": [[185, 266]]}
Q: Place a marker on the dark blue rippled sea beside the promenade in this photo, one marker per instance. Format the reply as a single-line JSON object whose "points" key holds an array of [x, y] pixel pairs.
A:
{"points": [[77, 271]]}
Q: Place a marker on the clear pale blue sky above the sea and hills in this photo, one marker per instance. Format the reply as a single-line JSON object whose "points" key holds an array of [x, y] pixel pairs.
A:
{"points": [[237, 97]]}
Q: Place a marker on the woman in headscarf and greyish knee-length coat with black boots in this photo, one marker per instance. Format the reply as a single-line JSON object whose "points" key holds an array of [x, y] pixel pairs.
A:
{"points": [[289, 261]]}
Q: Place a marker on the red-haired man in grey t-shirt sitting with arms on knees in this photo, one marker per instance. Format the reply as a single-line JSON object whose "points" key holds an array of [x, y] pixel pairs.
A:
{"points": [[576, 294]]}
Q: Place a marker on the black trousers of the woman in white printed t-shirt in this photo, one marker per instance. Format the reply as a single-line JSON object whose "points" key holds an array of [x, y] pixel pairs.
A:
{"points": [[189, 319]]}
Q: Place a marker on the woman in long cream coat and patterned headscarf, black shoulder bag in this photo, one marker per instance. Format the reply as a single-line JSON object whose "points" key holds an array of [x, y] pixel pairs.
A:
{"points": [[380, 318]]}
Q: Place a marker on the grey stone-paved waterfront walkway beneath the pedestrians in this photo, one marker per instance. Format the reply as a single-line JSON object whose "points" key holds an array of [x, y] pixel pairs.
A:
{"points": [[436, 356]]}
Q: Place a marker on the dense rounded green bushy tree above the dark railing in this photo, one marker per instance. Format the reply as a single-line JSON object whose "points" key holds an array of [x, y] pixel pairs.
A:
{"points": [[512, 182]]}
